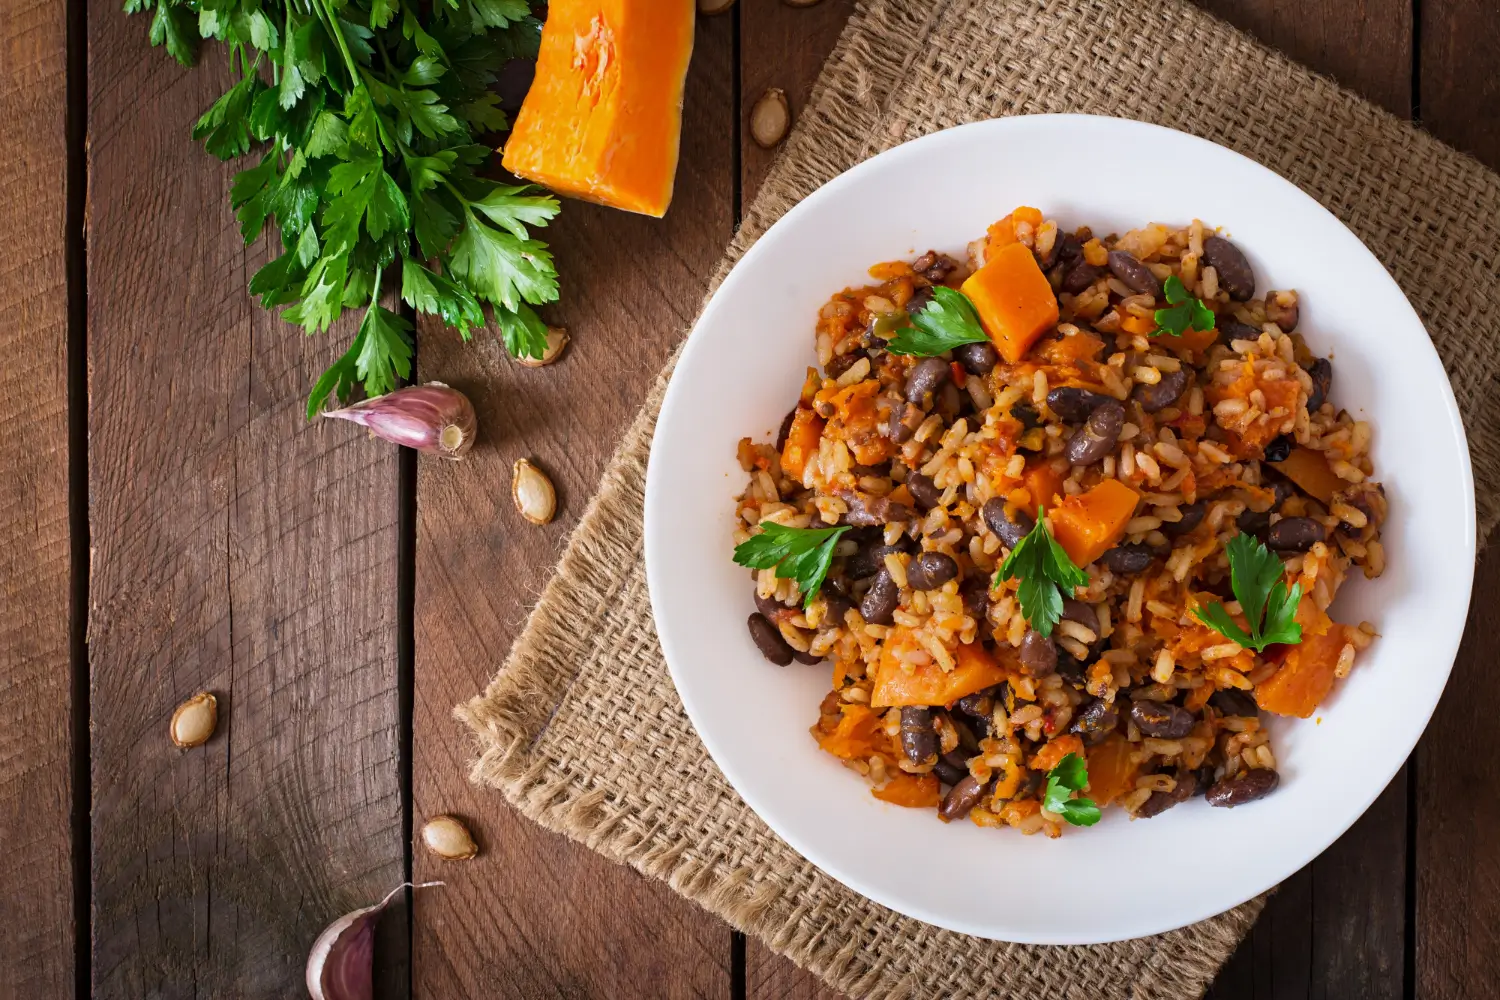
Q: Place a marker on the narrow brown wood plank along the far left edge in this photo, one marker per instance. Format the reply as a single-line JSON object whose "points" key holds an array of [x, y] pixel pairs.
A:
{"points": [[37, 786]]}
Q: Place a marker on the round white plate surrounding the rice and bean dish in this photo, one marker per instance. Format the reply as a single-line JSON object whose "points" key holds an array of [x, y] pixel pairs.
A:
{"points": [[742, 373]]}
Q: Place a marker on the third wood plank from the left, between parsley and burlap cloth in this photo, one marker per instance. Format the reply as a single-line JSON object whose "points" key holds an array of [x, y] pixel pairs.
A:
{"points": [[536, 915]]}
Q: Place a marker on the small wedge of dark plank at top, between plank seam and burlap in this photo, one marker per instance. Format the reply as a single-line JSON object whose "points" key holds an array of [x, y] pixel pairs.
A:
{"points": [[781, 47]]}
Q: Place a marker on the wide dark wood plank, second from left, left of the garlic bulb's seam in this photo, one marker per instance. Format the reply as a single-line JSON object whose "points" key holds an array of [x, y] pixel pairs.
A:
{"points": [[236, 549]]}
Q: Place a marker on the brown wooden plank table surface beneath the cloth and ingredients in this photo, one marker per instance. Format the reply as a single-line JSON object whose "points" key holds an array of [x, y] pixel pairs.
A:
{"points": [[170, 522]]}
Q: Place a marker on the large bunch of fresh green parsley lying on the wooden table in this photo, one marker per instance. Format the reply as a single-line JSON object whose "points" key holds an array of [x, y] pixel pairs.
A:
{"points": [[367, 113]]}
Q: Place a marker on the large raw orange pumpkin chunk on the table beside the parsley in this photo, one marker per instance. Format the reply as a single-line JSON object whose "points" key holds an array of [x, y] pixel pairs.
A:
{"points": [[604, 118]]}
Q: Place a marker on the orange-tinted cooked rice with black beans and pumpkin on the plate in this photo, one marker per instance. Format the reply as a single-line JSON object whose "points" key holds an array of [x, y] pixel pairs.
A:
{"points": [[1204, 455]]}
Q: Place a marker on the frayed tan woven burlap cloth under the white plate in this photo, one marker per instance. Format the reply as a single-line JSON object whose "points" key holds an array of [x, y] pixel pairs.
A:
{"points": [[583, 731]]}
